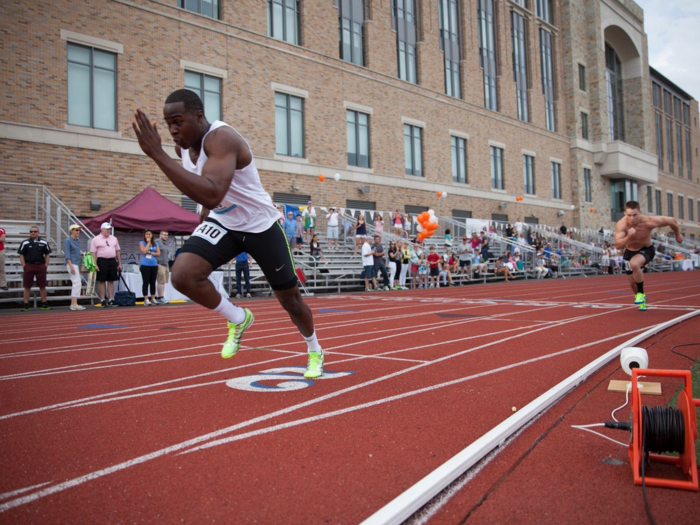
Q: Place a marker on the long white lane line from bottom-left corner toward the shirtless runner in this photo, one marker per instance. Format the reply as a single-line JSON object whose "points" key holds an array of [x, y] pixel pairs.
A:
{"points": [[215, 434]]}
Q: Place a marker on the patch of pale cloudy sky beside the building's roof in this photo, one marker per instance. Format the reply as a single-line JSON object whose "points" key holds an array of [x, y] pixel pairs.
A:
{"points": [[673, 32]]}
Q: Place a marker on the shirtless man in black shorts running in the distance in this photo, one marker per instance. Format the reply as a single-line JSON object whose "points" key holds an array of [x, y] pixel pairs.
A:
{"points": [[633, 232]]}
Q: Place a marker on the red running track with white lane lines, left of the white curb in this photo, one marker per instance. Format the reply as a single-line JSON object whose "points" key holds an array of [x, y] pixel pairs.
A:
{"points": [[130, 415]]}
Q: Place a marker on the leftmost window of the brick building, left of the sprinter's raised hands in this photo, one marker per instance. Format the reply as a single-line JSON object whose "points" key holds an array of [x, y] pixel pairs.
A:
{"points": [[92, 87]]}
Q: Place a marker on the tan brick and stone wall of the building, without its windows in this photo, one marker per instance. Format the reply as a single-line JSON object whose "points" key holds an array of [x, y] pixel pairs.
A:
{"points": [[155, 41]]}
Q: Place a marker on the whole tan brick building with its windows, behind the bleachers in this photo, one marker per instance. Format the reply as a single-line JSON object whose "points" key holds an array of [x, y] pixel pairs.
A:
{"points": [[486, 100]]}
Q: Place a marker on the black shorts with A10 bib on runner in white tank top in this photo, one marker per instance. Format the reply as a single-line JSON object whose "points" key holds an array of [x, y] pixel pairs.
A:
{"points": [[218, 245]]}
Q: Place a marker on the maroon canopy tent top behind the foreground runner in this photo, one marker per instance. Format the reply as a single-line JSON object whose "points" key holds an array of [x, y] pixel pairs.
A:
{"points": [[149, 209]]}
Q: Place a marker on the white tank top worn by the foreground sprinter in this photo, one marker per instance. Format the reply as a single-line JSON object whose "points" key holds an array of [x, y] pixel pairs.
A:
{"points": [[247, 206]]}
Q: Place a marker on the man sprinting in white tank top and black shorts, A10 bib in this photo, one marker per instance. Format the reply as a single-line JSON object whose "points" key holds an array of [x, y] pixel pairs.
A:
{"points": [[218, 171]]}
